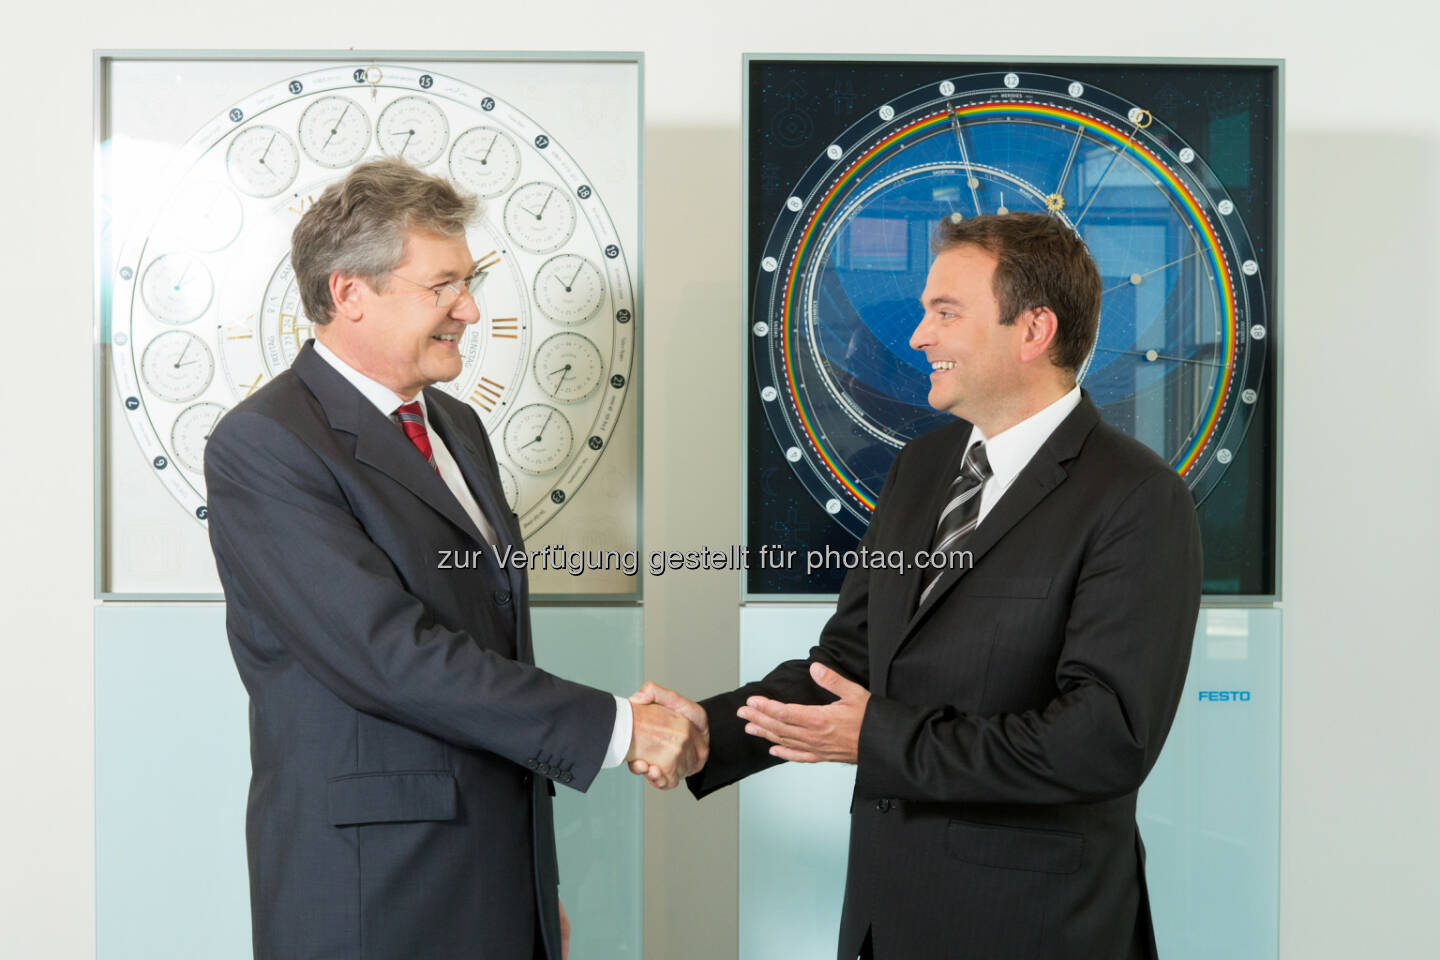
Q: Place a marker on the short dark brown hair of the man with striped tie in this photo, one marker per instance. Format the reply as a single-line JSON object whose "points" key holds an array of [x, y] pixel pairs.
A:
{"points": [[1040, 263]]}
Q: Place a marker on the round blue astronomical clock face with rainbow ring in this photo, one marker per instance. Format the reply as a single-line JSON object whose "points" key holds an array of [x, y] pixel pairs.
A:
{"points": [[1183, 325]]}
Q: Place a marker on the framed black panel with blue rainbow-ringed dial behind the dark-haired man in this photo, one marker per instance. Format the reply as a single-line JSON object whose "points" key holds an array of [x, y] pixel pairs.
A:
{"points": [[1169, 171]]}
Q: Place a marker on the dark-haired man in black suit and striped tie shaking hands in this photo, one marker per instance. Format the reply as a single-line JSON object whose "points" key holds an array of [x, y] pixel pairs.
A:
{"points": [[1006, 694]]}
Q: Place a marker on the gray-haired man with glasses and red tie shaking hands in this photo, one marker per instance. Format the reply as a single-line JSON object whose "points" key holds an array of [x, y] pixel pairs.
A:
{"points": [[404, 743]]}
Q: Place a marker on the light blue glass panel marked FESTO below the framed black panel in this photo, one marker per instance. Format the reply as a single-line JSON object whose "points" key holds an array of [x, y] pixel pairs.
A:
{"points": [[1209, 812]]}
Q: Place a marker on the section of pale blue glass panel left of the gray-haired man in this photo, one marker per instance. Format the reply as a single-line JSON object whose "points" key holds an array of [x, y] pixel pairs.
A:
{"points": [[172, 772]]}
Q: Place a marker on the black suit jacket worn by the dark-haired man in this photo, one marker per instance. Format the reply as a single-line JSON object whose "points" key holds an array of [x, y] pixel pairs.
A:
{"points": [[1014, 715]]}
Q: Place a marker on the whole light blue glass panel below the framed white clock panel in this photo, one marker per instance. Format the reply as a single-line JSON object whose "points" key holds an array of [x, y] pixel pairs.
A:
{"points": [[172, 774]]}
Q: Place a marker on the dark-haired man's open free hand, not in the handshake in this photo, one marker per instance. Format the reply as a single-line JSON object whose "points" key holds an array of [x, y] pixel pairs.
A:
{"points": [[811, 735]]}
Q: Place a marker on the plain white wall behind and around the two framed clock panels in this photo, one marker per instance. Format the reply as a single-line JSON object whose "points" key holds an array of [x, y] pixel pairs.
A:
{"points": [[1362, 775]]}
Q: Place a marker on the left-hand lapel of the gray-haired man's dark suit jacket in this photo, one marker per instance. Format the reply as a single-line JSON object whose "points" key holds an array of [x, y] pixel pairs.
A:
{"points": [[379, 443]]}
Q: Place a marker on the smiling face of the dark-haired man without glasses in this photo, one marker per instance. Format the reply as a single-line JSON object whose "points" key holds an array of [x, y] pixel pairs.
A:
{"points": [[977, 362]]}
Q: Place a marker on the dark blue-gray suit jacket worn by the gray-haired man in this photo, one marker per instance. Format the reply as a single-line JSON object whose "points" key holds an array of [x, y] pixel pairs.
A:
{"points": [[395, 712]]}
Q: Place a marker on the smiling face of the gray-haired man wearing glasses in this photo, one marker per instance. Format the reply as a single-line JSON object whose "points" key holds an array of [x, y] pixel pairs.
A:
{"points": [[398, 336]]}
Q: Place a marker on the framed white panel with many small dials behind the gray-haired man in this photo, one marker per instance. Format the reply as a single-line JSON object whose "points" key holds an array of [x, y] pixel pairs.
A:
{"points": [[204, 165]]}
